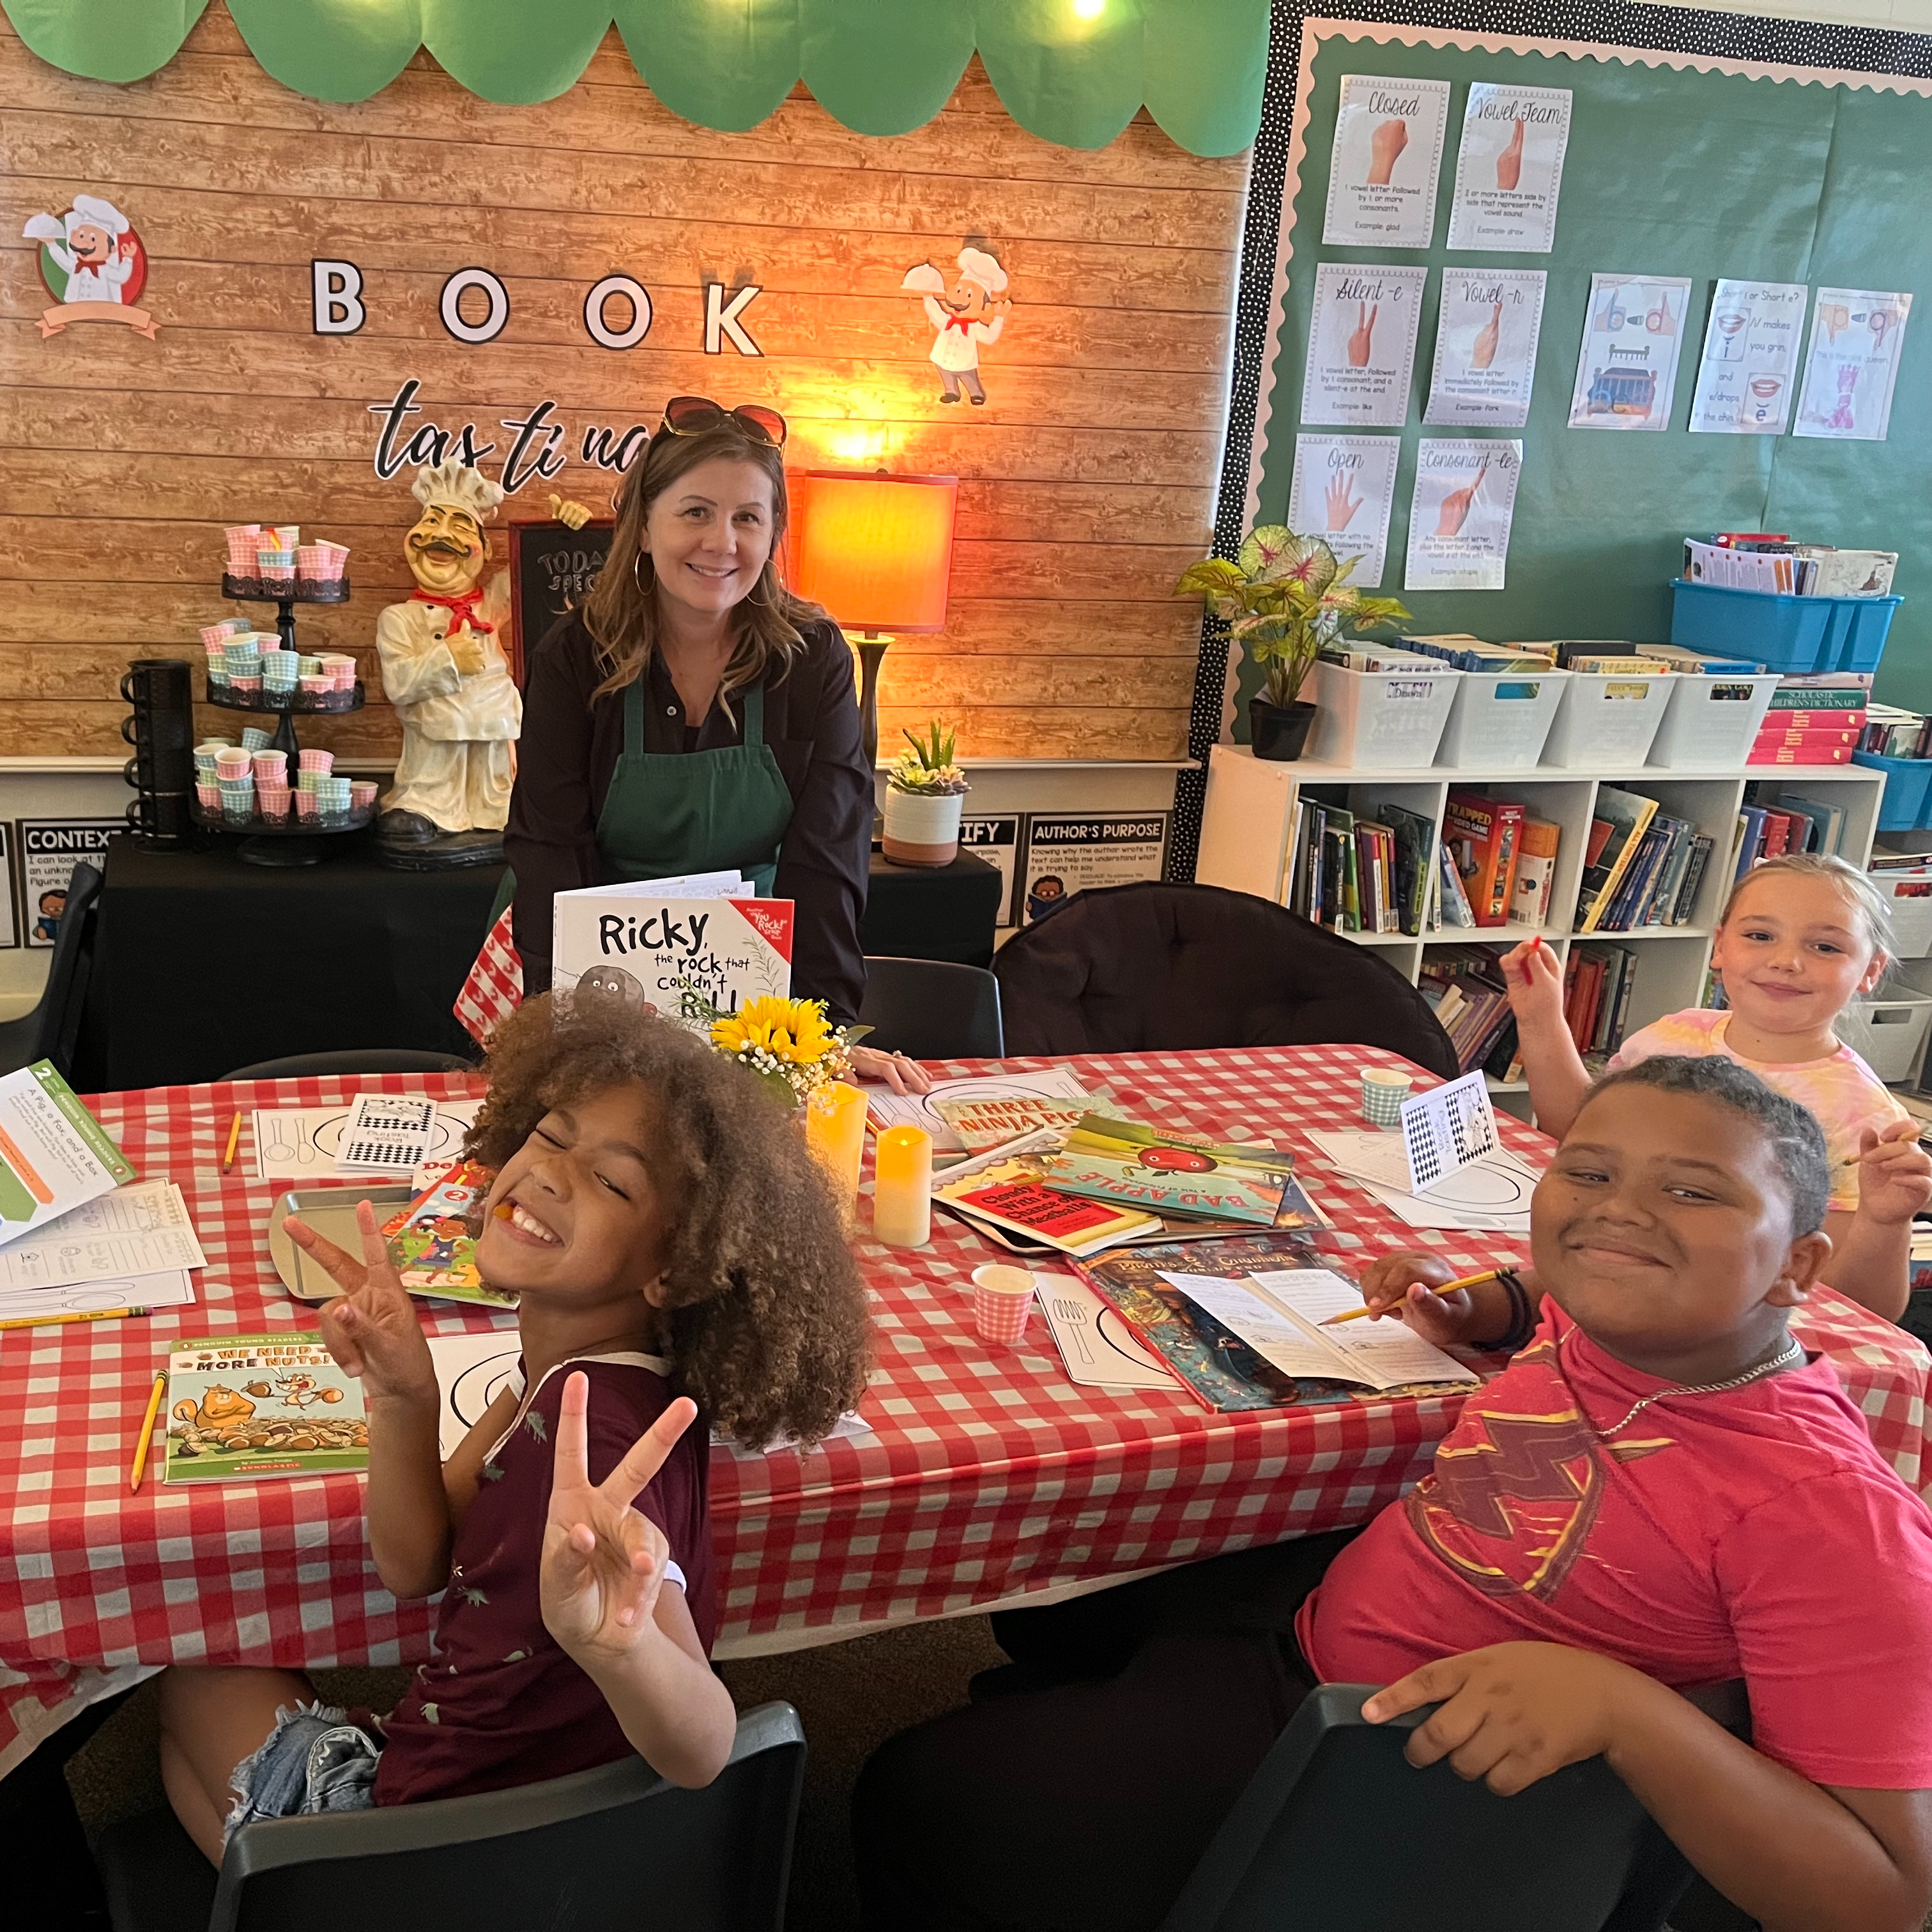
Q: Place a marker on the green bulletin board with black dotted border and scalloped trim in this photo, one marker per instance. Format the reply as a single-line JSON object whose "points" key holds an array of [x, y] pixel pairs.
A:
{"points": [[1686, 159]]}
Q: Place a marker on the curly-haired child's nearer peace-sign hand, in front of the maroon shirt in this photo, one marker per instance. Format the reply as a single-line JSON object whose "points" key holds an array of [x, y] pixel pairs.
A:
{"points": [[604, 1562]]}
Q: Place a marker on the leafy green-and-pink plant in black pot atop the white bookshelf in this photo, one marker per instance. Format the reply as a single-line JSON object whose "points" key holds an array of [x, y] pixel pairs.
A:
{"points": [[1284, 598]]}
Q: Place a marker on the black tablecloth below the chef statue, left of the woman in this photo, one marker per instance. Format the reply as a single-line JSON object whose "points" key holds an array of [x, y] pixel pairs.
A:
{"points": [[204, 963]]}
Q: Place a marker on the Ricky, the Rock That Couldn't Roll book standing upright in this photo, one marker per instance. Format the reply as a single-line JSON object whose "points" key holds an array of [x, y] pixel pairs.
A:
{"points": [[677, 948]]}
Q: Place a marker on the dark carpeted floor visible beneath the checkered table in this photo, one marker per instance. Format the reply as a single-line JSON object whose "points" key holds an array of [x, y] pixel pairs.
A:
{"points": [[851, 1697]]}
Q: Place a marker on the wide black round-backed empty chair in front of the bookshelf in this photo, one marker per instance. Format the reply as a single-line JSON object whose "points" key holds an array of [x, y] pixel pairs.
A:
{"points": [[1131, 969]]}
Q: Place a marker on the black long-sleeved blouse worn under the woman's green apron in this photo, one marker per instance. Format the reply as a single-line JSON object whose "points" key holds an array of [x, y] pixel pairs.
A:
{"points": [[571, 747]]}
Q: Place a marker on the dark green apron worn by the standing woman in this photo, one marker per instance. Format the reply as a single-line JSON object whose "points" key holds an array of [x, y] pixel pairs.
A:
{"points": [[681, 812]]}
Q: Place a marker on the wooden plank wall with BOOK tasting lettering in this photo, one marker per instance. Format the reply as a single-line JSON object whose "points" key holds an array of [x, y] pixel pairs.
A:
{"points": [[1087, 482]]}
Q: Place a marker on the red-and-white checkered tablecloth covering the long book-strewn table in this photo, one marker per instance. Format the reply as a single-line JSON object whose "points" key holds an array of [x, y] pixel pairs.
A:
{"points": [[988, 1473]]}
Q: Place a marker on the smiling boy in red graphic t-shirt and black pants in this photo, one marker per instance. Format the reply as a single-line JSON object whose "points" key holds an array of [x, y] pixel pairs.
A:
{"points": [[1657, 1492]]}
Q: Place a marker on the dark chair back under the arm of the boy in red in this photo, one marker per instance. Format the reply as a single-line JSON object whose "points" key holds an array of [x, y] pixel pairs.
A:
{"points": [[1338, 1831]]}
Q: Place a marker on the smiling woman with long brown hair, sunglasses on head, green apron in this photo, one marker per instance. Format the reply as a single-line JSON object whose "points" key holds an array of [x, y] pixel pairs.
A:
{"points": [[696, 718]]}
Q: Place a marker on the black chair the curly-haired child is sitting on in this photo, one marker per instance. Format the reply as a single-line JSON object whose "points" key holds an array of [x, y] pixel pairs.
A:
{"points": [[608, 1848]]}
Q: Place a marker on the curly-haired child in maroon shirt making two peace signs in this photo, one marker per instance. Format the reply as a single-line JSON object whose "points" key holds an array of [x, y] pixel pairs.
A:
{"points": [[675, 1253]]}
